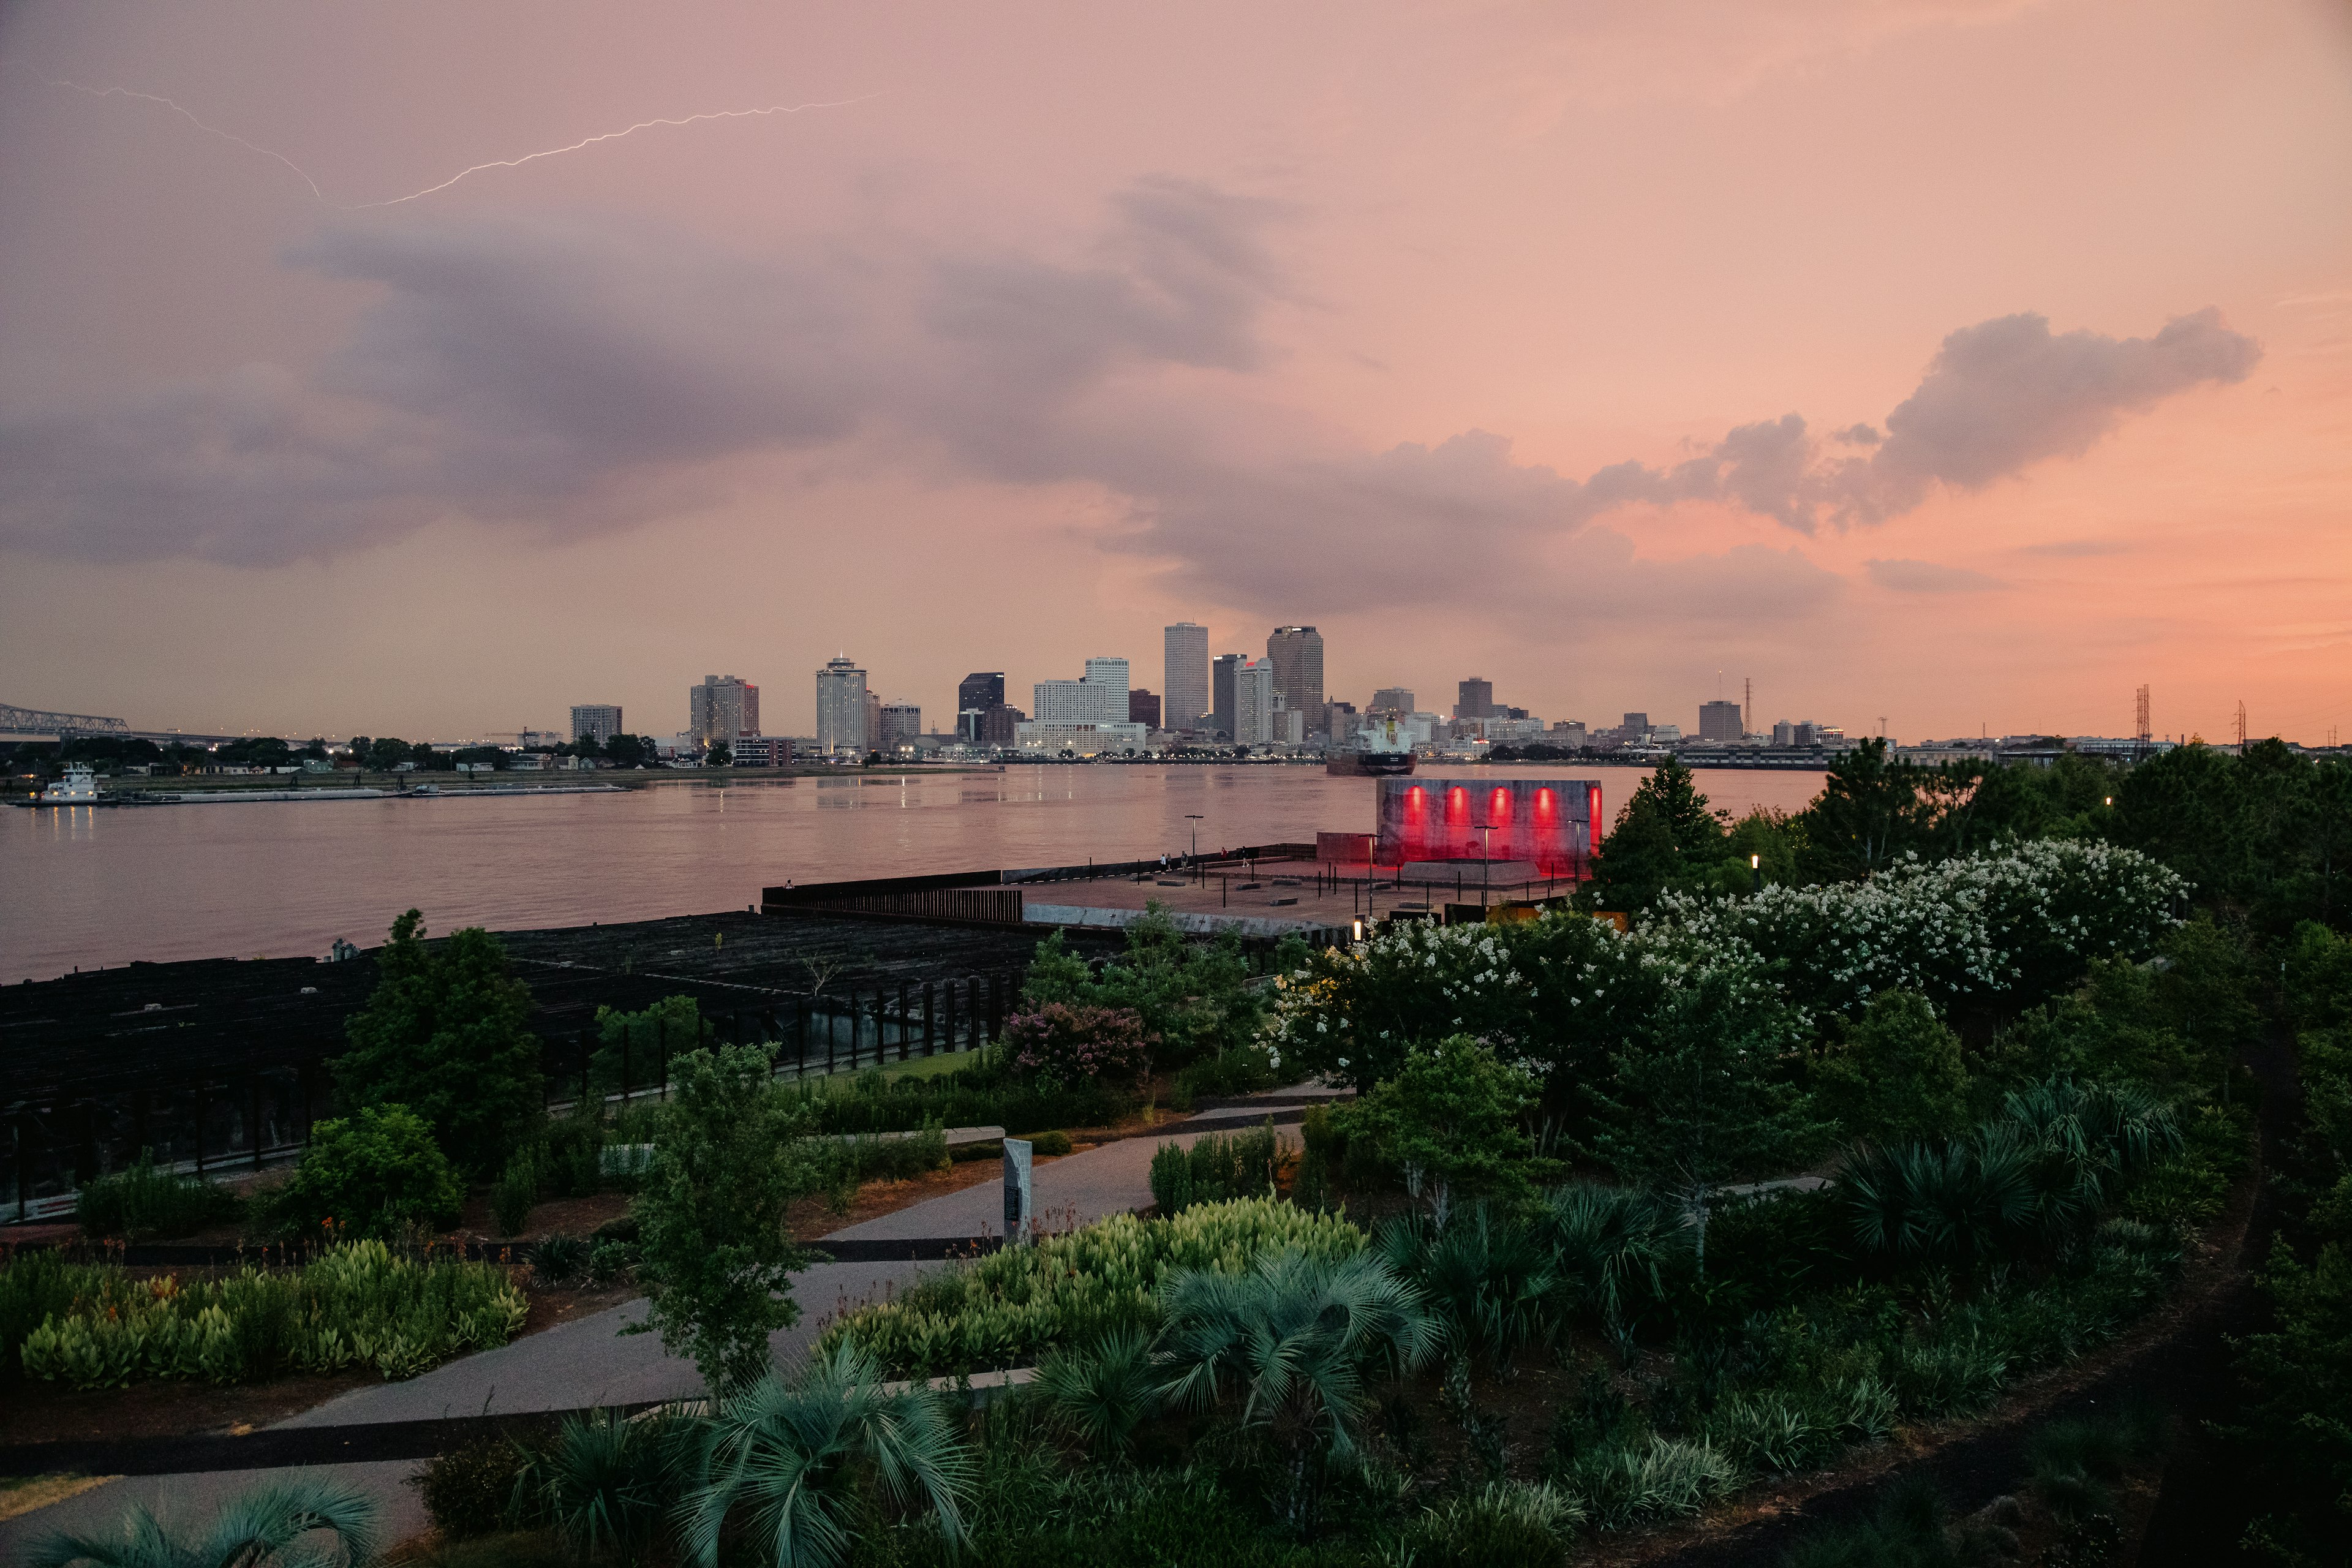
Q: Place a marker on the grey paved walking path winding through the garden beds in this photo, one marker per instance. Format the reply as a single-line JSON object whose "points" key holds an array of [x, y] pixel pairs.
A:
{"points": [[592, 1362]]}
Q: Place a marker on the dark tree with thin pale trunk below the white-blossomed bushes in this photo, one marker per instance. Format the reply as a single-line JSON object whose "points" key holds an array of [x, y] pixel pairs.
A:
{"points": [[1702, 1094]]}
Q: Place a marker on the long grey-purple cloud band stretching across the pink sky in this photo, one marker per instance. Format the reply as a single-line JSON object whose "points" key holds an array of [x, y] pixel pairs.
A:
{"points": [[580, 380]]}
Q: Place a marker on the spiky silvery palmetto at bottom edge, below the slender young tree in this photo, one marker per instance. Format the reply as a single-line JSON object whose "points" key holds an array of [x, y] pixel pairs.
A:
{"points": [[775, 1461]]}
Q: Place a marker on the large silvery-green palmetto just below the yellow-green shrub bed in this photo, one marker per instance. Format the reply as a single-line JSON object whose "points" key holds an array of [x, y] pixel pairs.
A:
{"points": [[1297, 1339]]}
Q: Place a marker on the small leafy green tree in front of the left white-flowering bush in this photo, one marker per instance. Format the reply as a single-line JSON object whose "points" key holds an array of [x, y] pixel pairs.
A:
{"points": [[1452, 1113]]}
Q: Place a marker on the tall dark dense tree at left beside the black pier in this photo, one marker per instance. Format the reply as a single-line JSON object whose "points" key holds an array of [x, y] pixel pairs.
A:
{"points": [[446, 1036]]}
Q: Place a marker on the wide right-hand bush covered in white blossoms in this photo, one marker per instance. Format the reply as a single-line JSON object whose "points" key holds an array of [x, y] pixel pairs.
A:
{"points": [[2014, 925]]}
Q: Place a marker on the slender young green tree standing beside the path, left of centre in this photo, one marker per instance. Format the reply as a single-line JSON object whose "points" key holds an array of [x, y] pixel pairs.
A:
{"points": [[716, 1252]]}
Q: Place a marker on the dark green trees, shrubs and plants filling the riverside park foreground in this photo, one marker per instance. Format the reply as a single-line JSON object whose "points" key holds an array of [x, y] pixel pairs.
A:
{"points": [[1923, 1108]]}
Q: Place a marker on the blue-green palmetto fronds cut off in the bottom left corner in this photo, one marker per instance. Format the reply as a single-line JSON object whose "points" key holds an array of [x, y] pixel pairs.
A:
{"points": [[269, 1527]]}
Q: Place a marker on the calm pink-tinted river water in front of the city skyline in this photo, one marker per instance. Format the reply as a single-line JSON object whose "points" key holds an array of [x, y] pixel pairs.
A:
{"points": [[88, 887]]}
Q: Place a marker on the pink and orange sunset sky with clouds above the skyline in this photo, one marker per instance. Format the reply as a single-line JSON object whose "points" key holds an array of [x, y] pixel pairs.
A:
{"points": [[1935, 366]]}
